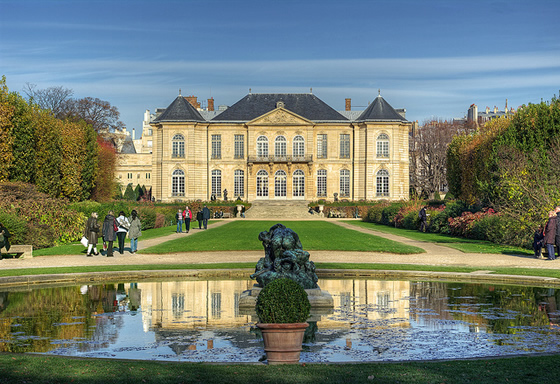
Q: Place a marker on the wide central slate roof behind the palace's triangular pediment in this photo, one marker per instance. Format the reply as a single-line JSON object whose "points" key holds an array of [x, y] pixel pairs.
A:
{"points": [[305, 105]]}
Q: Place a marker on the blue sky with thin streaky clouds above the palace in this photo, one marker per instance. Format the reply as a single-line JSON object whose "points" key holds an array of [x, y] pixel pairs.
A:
{"points": [[432, 57]]}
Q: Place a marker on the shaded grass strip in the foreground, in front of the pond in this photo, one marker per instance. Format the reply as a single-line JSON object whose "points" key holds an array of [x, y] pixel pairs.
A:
{"points": [[16, 368]]}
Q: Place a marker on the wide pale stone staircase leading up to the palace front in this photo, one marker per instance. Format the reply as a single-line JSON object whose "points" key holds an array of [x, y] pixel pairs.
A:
{"points": [[279, 209]]}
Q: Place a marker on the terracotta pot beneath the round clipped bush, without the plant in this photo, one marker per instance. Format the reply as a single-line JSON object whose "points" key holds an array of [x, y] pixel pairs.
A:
{"points": [[282, 342]]}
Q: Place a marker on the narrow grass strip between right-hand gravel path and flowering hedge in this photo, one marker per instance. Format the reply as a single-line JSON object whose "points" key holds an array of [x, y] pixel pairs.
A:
{"points": [[459, 243]]}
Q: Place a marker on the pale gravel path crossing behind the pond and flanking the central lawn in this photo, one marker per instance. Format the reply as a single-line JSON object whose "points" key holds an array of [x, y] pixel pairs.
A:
{"points": [[434, 255]]}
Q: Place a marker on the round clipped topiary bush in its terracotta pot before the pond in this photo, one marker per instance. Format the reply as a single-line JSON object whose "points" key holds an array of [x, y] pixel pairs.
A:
{"points": [[283, 309]]}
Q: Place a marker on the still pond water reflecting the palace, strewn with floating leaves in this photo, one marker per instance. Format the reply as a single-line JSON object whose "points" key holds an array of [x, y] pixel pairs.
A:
{"points": [[199, 321]]}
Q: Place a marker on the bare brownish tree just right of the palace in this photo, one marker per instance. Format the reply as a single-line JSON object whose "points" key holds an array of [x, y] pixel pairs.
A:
{"points": [[428, 155]]}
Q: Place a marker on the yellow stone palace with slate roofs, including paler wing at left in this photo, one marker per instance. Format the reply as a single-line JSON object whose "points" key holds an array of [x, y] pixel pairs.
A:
{"points": [[270, 147]]}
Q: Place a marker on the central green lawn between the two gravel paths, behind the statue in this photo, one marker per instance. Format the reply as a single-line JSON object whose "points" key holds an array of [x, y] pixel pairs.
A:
{"points": [[314, 235]]}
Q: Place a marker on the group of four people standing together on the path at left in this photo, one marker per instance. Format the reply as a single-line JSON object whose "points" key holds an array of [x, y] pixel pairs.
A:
{"points": [[113, 228]]}
